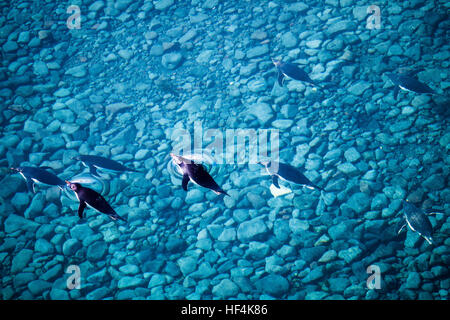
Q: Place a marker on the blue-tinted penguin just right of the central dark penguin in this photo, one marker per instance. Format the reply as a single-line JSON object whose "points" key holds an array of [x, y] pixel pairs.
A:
{"points": [[287, 173]]}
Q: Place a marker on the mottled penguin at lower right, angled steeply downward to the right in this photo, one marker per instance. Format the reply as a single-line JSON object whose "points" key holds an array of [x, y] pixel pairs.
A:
{"points": [[417, 221]]}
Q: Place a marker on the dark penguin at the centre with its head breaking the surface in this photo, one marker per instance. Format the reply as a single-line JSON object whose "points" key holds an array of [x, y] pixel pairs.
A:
{"points": [[195, 173]]}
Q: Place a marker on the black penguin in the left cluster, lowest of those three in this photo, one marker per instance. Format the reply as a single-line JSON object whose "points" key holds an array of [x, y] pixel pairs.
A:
{"points": [[94, 199]]}
